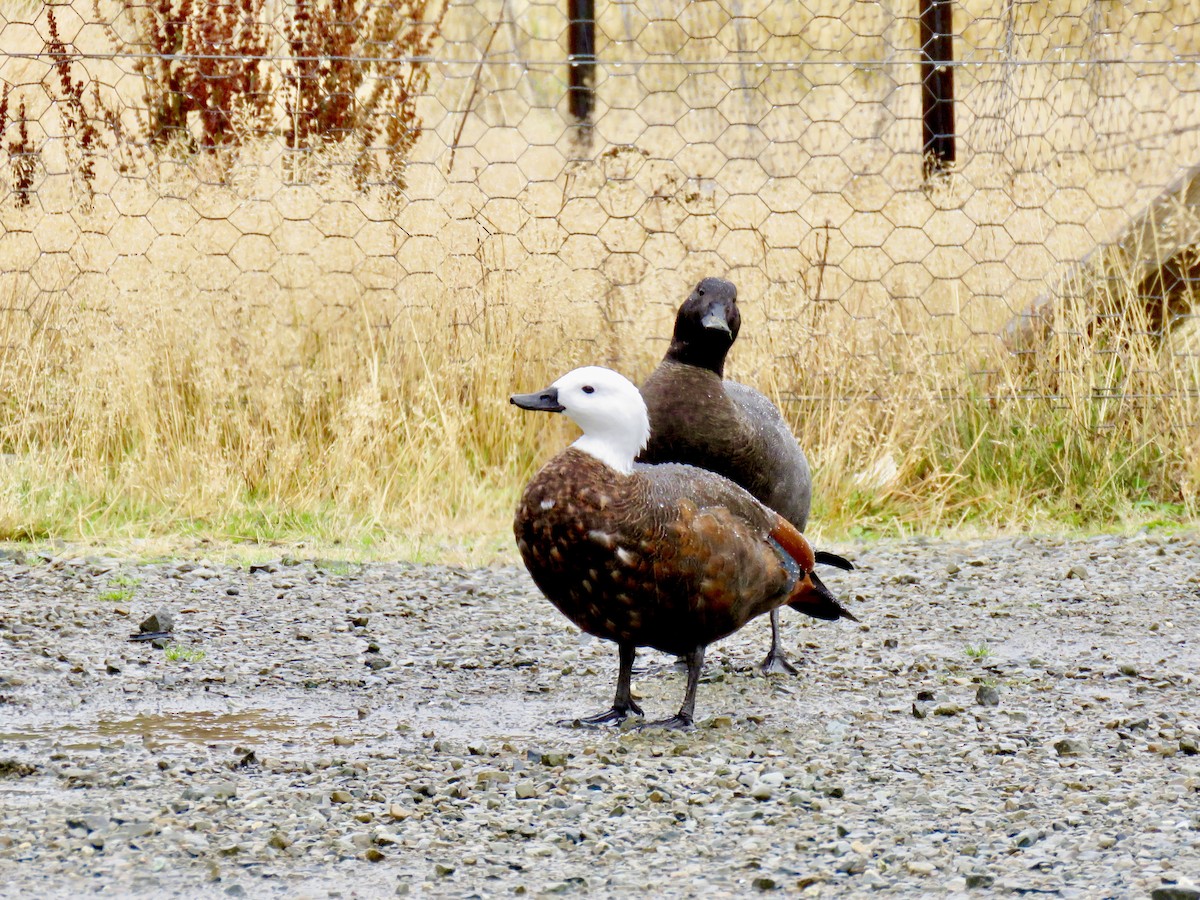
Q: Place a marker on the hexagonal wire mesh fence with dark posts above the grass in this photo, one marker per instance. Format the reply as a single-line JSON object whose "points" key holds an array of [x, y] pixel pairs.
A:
{"points": [[583, 165]]}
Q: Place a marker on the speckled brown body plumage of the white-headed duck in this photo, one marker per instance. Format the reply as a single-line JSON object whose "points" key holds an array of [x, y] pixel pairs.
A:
{"points": [[670, 557]]}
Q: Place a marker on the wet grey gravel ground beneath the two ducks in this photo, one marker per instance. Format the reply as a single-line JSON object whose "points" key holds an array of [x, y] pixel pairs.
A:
{"points": [[1012, 717]]}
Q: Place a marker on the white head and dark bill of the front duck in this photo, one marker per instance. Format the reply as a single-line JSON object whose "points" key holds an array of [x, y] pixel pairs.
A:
{"points": [[605, 405]]}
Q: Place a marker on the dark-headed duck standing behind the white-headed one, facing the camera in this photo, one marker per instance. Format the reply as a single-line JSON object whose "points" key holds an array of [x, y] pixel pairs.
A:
{"points": [[700, 419]]}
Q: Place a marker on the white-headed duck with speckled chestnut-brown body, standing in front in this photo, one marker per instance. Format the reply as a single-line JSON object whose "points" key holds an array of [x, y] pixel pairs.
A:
{"points": [[671, 557]]}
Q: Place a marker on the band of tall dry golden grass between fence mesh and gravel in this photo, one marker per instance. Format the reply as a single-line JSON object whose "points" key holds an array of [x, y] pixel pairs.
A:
{"points": [[153, 421]]}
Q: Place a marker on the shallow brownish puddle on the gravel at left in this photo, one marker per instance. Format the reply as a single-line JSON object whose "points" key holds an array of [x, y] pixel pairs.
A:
{"points": [[249, 727]]}
